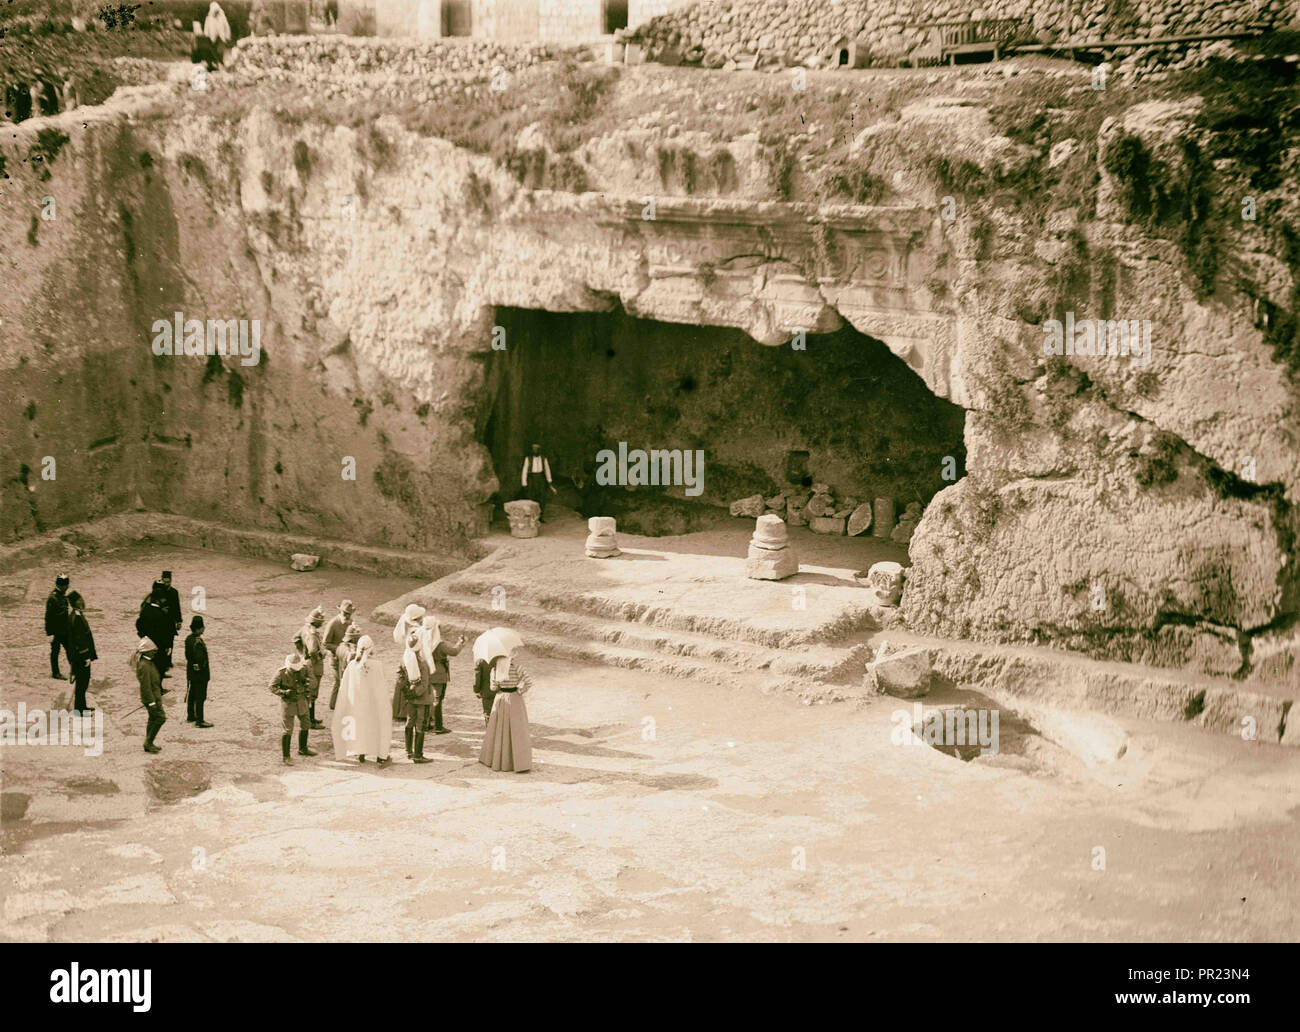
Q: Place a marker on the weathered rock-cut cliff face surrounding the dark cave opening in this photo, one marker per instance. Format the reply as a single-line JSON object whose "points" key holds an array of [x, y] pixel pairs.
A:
{"points": [[1141, 509]]}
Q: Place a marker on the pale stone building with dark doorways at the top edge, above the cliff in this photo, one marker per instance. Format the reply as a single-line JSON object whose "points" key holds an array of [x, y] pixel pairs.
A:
{"points": [[553, 21]]}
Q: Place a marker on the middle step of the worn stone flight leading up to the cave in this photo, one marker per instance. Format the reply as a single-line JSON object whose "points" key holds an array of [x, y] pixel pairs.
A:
{"points": [[816, 666]]}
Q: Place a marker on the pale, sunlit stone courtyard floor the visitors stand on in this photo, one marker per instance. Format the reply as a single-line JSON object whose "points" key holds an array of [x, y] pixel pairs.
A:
{"points": [[660, 809]]}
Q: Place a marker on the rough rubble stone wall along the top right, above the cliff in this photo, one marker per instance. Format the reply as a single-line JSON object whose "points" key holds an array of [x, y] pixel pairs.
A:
{"points": [[804, 29]]}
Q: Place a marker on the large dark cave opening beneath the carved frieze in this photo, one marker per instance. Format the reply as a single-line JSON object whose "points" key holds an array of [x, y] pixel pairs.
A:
{"points": [[846, 413]]}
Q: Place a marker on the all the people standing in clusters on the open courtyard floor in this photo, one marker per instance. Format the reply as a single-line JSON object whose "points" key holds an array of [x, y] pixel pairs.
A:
{"points": [[363, 701]]}
